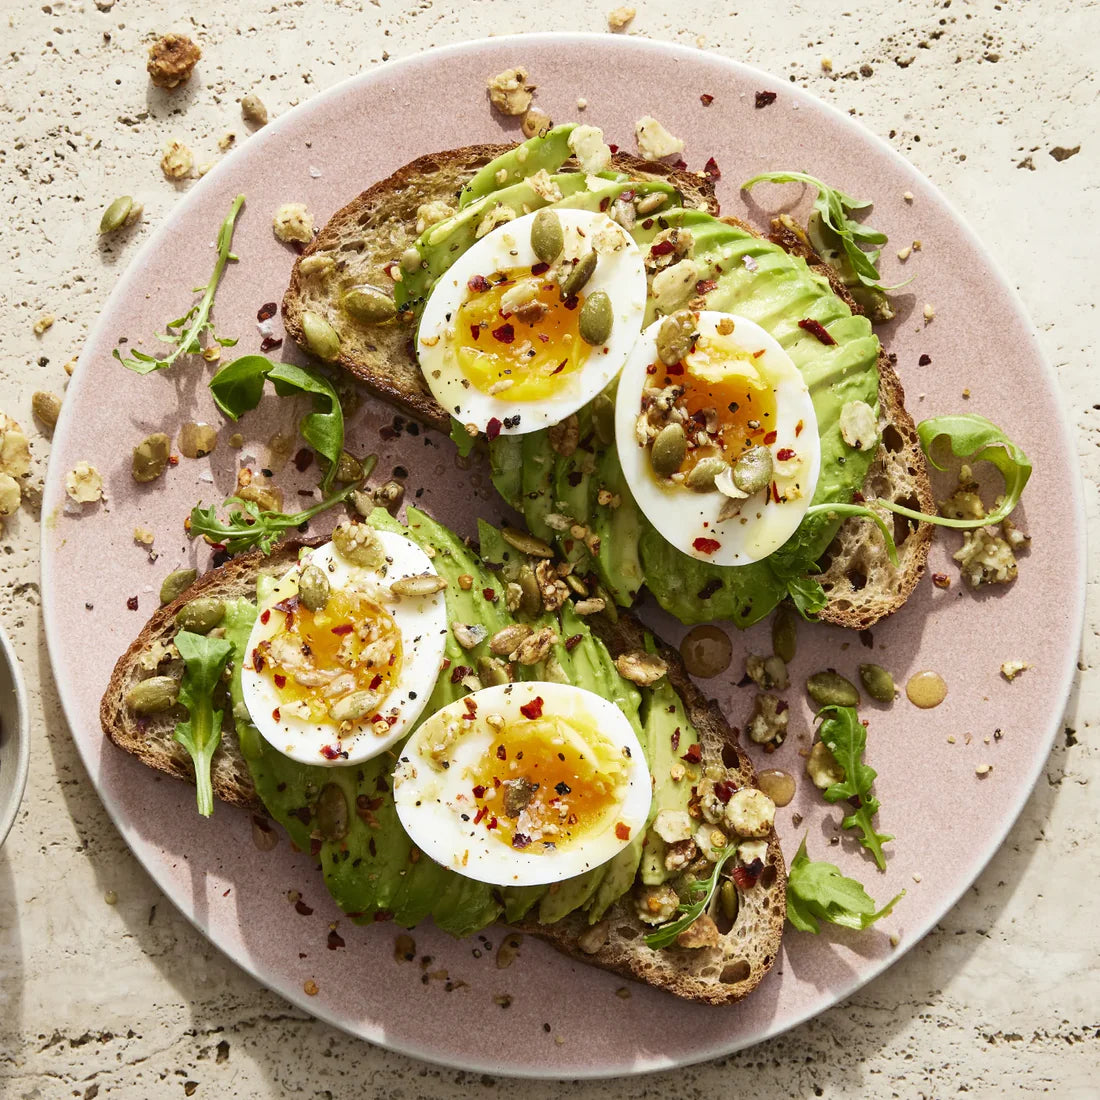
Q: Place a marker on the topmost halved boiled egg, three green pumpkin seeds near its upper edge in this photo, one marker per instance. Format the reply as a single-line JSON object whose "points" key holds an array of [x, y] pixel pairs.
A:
{"points": [[510, 344]]}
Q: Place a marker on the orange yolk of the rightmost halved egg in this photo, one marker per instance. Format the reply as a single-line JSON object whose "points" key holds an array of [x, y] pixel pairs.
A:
{"points": [[727, 398]]}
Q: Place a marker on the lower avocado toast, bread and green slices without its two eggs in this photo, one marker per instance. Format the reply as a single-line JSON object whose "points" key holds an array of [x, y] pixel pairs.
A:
{"points": [[346, 816]]}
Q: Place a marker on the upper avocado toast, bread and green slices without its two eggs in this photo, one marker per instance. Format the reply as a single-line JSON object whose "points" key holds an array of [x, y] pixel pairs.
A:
{"points": [[366, 278]]}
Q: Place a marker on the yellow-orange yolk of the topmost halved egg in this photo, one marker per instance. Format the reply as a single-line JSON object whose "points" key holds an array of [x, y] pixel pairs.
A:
{"points": [[515, 338]]}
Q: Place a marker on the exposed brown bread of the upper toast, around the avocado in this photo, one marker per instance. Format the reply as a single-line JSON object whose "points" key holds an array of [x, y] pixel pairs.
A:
{"points": [[366, 236]]}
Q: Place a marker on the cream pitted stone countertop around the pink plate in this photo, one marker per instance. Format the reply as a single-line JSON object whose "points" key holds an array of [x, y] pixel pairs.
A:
{"points": [[996, 103]]}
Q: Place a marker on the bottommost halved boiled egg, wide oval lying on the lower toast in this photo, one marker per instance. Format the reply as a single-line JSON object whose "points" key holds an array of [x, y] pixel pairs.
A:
{"points": [[524, 784]]}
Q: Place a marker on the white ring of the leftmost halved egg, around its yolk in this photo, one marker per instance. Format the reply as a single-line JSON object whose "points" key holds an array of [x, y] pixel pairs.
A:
{"points": [[423, 624]]}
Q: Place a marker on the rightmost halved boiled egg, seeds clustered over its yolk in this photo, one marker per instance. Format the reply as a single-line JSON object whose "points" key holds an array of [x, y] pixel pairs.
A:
{"points": [[718, 437]]}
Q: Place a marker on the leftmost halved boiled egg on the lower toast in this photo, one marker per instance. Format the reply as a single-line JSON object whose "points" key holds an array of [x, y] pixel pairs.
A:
{"points": [[339, 666]]}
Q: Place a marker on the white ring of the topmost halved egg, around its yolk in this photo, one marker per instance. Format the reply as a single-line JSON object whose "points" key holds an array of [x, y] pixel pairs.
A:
{"points": [[621, 274]]}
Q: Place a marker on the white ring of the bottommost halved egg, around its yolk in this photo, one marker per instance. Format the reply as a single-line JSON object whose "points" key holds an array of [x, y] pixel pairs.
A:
{"points": [[435, 804]]}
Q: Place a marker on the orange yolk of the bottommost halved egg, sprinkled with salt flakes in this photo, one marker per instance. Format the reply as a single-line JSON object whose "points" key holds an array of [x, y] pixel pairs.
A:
{"points": [[546, 786]]}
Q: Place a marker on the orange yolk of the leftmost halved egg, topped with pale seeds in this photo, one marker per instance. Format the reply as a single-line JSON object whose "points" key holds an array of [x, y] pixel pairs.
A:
{"points": [[316, 658]]}
